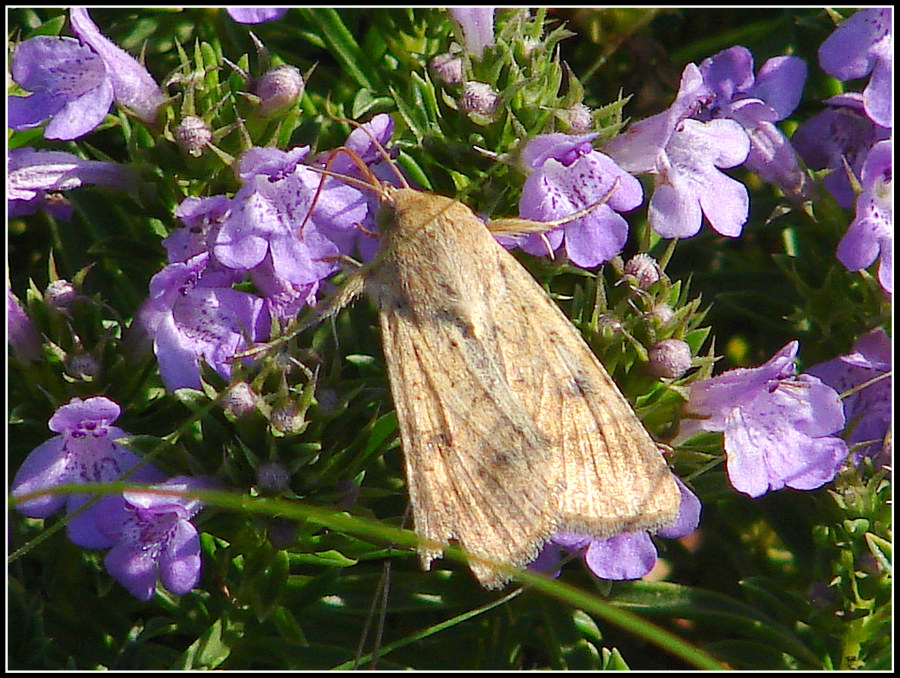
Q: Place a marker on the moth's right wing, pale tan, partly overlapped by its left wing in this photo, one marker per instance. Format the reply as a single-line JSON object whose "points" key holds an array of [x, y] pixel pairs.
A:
{"points": [[615, 478]]}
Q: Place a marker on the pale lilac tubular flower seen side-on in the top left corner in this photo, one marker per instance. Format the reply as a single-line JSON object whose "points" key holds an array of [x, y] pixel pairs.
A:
{"points": [[133, 87]]}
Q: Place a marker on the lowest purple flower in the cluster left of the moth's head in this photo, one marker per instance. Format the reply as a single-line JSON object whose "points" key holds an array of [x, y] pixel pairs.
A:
{"points": [[193, 313]]}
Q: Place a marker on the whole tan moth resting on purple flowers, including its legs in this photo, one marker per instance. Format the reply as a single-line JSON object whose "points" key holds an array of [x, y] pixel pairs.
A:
{"points": [[511, 428]]}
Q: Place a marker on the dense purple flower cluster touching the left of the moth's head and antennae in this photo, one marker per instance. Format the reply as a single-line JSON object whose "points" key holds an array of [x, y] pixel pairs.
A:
{"points": [[285, 229]]}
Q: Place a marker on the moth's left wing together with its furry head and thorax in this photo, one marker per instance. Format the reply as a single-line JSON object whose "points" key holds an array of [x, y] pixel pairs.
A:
{"points": [[479, 468]]}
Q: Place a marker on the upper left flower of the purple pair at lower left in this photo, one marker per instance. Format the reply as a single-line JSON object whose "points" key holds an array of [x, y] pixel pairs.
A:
{"points": [[85, 451]]}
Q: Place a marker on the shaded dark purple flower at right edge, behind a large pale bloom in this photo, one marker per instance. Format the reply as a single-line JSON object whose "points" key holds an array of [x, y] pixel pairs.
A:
{"points": [[868, 410]]}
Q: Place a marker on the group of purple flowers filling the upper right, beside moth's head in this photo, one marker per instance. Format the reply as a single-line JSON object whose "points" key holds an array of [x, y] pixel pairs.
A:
{"points": [[723, 116]]}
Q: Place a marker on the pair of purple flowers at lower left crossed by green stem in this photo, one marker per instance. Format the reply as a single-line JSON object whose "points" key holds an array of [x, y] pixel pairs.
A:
{"points": [[147, 532]]}
